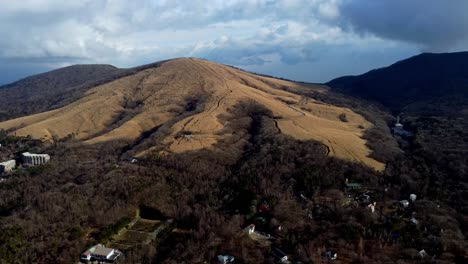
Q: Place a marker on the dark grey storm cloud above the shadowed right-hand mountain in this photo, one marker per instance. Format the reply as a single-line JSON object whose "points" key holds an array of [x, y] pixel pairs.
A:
{"points": [[435, 25]]}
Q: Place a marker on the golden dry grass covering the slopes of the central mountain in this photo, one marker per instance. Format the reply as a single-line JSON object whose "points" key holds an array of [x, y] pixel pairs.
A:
{"points": [[155, 96]]}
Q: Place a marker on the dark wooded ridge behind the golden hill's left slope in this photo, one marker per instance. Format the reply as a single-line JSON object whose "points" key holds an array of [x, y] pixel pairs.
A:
{"points": [[56, 88]]}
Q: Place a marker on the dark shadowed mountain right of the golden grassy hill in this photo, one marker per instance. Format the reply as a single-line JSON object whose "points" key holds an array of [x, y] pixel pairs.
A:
{"points": [[424, 84]]}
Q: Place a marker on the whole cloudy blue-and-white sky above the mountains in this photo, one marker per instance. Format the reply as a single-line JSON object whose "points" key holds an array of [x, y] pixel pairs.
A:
{"points": [[306, 40]]}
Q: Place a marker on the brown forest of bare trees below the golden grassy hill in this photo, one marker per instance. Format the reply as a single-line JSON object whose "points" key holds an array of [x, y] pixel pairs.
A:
{"points": [[52, 213]]}
